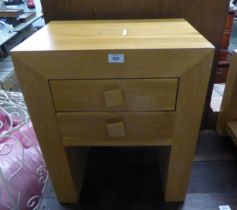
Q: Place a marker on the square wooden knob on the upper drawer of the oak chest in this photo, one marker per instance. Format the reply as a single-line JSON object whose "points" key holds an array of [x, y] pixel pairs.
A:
{"points": [[113, 98]]}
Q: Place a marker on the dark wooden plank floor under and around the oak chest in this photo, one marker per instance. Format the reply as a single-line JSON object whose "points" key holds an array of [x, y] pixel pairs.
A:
{"points": [[120, 179]]}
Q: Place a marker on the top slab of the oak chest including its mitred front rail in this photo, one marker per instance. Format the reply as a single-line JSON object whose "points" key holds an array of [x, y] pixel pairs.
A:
{"points": [[142, 60]]}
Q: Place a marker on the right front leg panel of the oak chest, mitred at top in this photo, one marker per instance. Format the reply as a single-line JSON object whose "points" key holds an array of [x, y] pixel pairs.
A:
{"points": [[190, 104]]}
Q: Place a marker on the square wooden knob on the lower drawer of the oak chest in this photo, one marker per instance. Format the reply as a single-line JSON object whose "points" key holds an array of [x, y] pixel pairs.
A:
{"points": [[116, 129]]}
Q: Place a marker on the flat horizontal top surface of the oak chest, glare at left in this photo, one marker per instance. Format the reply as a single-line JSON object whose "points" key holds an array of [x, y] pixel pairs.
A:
{"points": [[115, 34]]}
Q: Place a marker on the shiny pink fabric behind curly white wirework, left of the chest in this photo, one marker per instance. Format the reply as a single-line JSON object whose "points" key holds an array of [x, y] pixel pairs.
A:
{"points": [[22, 167]]}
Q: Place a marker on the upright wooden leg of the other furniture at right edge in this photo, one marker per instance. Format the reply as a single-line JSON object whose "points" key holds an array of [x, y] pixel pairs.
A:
{"points": [[228, 111]]}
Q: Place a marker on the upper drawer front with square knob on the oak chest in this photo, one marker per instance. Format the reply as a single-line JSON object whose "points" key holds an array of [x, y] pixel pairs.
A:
{"points": [[114, 95]]}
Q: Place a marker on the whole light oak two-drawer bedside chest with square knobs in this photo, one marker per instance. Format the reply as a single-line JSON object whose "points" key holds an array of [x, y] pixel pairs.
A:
{"points": [[115, 83]]}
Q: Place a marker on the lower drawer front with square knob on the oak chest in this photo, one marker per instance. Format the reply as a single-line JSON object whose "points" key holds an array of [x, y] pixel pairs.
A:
{"points": [[116, 129]]}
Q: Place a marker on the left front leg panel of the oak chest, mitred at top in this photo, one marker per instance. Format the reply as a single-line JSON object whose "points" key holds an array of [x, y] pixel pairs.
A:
{"points": [[40, 105]]}
